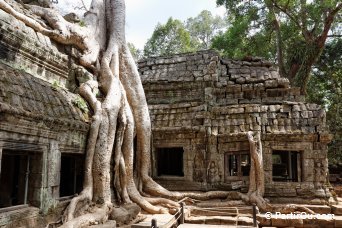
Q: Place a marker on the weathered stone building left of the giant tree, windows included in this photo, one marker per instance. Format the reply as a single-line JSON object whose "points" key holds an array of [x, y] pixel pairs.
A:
{"points": [[42, 129]]}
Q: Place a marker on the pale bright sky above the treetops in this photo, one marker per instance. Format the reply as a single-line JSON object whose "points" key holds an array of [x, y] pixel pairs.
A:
{"points": [[142, 16]]}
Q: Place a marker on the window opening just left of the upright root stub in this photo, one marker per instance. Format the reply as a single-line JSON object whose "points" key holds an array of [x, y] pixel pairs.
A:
{"points": [[237, 164]]}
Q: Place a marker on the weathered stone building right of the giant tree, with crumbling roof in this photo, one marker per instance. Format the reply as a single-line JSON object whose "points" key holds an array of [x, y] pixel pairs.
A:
{"points": [[204, 105]]}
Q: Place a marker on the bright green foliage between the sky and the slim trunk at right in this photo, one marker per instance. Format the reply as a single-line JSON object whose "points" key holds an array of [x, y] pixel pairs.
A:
{"points": [[249, 32]]}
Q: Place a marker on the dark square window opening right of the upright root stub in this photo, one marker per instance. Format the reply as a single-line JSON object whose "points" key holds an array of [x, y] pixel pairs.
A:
{"points": [[286, 166]]}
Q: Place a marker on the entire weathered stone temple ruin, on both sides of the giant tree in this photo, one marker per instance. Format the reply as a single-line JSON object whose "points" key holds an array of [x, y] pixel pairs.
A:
{"points": [[201, 108]]}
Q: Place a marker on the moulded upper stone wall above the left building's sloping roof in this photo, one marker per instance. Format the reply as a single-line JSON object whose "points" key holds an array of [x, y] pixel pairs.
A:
{"points": [[24, 49]]}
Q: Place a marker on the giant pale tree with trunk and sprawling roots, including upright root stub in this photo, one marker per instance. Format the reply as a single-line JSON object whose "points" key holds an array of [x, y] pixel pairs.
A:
{"points": [[119, 116]]}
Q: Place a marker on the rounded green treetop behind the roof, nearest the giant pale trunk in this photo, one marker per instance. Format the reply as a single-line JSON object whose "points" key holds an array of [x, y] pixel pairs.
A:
{"points": [[168, 39]]}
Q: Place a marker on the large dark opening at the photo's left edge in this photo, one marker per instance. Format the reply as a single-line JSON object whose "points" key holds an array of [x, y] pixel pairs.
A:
{"points": [[20, 177]]}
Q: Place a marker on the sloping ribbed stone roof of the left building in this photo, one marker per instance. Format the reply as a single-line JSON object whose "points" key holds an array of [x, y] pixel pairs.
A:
{"points": [[24, 95]]}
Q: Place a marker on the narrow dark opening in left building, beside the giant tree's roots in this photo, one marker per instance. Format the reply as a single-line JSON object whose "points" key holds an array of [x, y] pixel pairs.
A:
{"points": [[72, 168]]}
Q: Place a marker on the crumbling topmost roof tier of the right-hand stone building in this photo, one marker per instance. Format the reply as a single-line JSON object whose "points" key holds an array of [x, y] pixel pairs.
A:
{"points": [[209, 67]]}
